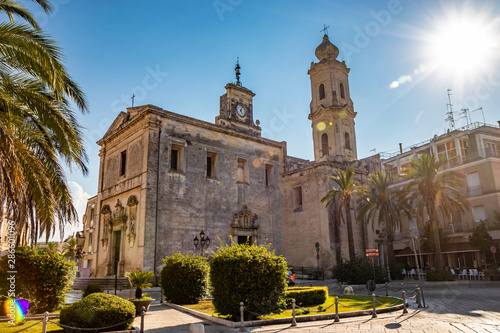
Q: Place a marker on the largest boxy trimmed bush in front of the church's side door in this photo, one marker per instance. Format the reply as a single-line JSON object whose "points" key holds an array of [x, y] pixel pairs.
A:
{"points": [[250, 274]]}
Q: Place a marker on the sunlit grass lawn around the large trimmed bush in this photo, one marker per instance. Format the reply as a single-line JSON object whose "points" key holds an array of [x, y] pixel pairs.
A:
{"points": [[359, 303]]}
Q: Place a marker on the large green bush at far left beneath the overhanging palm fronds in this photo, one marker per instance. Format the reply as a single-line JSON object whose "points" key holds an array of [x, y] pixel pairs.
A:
{"points": [[43, 278]]}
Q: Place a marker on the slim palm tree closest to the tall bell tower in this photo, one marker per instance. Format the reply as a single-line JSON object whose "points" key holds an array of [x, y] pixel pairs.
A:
{"points": [[341, 198]]}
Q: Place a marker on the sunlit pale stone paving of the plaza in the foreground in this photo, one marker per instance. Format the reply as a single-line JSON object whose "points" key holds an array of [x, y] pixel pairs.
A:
{"points": [[465, 306]]}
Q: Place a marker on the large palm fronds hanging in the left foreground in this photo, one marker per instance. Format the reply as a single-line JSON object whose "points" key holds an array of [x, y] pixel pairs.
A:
{"points": [[37, 125]]}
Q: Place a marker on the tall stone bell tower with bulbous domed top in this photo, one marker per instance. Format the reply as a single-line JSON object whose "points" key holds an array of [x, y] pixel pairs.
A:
{"points": [[332, 112]]}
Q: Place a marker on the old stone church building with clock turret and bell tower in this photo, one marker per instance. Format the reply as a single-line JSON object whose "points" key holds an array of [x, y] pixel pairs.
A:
{"points": [[165, 177]]}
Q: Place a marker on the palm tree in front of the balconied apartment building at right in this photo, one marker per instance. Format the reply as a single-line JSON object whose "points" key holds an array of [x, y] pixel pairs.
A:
{"points": [[434, 194]]}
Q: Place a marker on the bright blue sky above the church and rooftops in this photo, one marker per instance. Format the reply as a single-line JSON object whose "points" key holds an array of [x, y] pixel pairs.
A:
{"points": [[180, 54]]}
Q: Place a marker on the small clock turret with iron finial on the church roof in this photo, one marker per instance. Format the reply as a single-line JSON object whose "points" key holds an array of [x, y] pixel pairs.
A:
{"points": [[235, 110]]}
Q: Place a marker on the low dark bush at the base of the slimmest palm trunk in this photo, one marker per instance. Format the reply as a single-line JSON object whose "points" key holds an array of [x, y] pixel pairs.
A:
{"points": [[358, 271]]}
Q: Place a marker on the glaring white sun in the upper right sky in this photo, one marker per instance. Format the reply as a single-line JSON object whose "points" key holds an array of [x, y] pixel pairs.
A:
{"points": [[463, 45]]}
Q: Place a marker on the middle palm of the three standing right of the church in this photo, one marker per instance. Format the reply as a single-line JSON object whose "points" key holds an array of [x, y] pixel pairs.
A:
{"points": [[383, 204]]}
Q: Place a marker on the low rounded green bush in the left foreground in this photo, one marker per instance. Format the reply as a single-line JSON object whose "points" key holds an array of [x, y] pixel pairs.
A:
{"points": [[99, 310]]}
